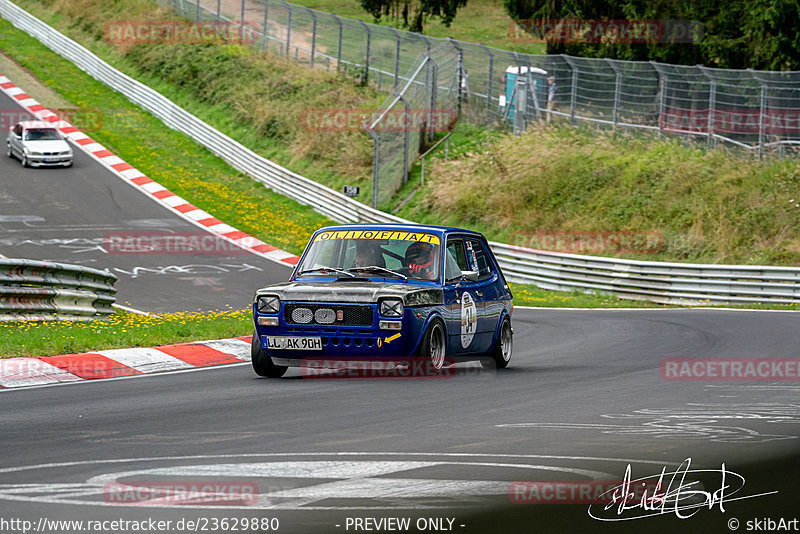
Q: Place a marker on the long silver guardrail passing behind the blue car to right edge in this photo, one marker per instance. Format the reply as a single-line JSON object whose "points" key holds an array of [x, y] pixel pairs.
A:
{"points": [[642, 280]]}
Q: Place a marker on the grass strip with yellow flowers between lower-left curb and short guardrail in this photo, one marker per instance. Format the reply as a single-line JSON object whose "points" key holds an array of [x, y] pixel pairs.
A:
{"points": [[35, 339]]}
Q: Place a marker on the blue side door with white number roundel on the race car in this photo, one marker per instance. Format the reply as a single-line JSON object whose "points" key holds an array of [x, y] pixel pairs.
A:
{"points": [[462, 305]]}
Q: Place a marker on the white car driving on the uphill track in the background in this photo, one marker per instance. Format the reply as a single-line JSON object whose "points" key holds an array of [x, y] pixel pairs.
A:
{"points": [[38, 144]]}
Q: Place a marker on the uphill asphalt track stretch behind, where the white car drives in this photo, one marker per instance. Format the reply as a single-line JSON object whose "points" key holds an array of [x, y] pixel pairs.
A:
{"points": [[73, 215]]}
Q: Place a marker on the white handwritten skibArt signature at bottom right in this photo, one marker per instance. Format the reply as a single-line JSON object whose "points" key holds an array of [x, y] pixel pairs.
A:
{"points": [[669, 492]]}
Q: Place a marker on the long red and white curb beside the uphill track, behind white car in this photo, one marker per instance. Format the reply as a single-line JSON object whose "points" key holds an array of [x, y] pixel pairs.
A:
{"points": [[136, 178]]}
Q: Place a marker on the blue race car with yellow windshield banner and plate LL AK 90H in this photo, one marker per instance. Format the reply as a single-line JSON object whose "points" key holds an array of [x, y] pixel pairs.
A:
{"points": [[386, 293]]}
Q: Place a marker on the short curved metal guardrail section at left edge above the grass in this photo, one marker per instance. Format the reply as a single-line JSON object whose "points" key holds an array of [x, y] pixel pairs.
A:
{"points": [[39, 290]]}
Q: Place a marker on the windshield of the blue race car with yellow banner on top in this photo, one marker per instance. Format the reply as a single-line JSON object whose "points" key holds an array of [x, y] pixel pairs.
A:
{"points": [[378, 253]]}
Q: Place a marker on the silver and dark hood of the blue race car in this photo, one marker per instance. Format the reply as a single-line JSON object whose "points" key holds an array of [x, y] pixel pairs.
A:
{"points": [[412, 295]]}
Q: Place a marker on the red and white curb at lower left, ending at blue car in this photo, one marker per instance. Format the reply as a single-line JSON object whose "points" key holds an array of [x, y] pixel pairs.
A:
{"points": [[21, 372]]}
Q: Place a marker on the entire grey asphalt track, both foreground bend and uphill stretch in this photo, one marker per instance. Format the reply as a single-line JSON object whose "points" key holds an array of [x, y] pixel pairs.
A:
{"points": [[583, 399]]}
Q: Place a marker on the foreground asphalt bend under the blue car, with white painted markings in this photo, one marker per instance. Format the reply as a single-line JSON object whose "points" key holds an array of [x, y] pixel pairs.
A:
{"points": [[583, 399]]}
